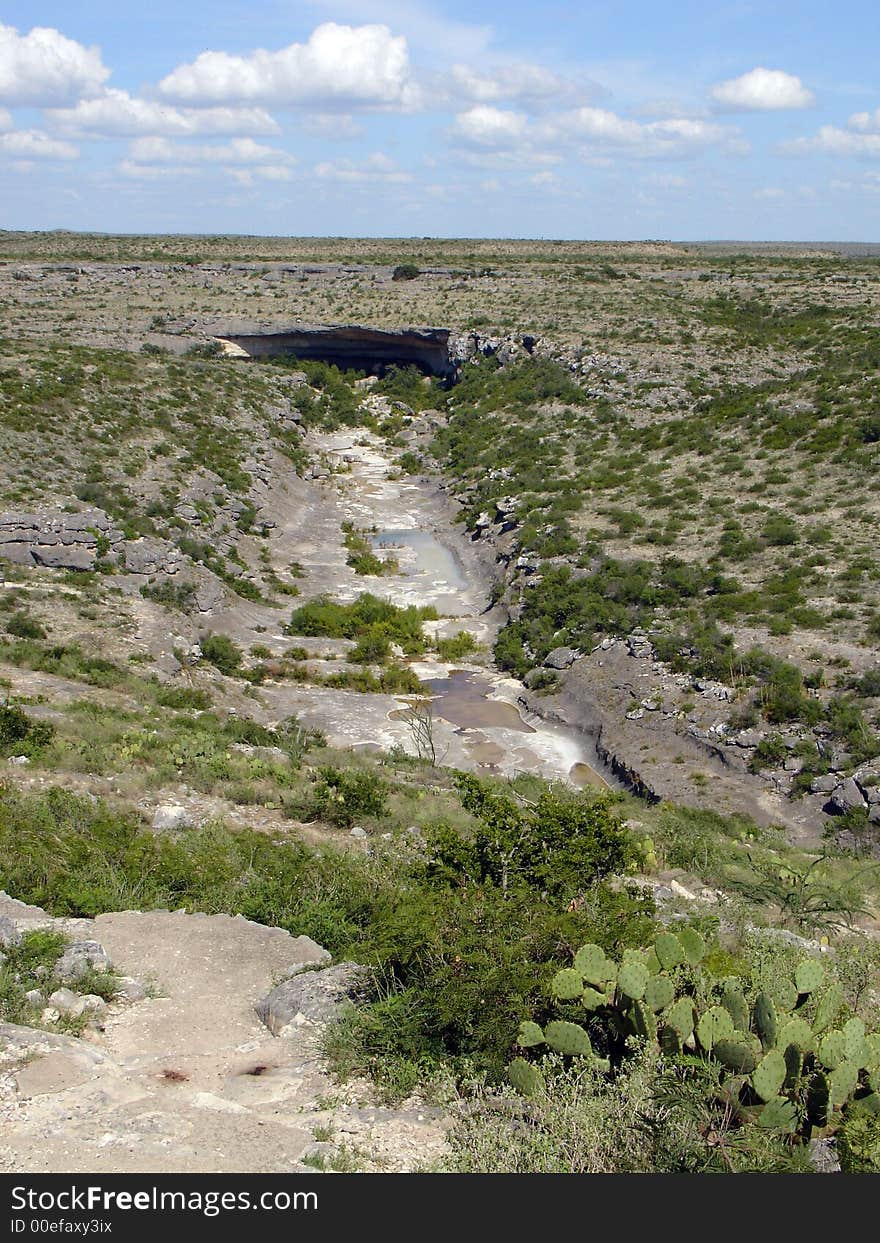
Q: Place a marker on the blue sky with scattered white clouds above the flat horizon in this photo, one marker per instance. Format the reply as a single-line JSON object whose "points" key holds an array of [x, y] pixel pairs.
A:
{"points": [[612, 120]]}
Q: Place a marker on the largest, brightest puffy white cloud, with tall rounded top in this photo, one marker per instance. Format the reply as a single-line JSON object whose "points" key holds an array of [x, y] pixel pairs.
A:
{"points": [[365, 67]]}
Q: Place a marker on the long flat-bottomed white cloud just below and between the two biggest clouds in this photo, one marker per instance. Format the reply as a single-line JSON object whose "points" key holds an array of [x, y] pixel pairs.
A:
{"points": [[117, 115]]}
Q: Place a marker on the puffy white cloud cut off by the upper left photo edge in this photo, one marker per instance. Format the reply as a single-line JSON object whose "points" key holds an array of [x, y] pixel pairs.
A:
{"points": [[45, 68]]}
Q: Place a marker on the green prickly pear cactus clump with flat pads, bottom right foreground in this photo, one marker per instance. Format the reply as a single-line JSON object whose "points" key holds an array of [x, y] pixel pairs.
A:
{"points": [[806, 1075]]}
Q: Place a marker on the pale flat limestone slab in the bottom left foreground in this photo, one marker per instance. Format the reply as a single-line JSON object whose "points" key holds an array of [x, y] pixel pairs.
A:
{"points": [[191, 1081]]}
